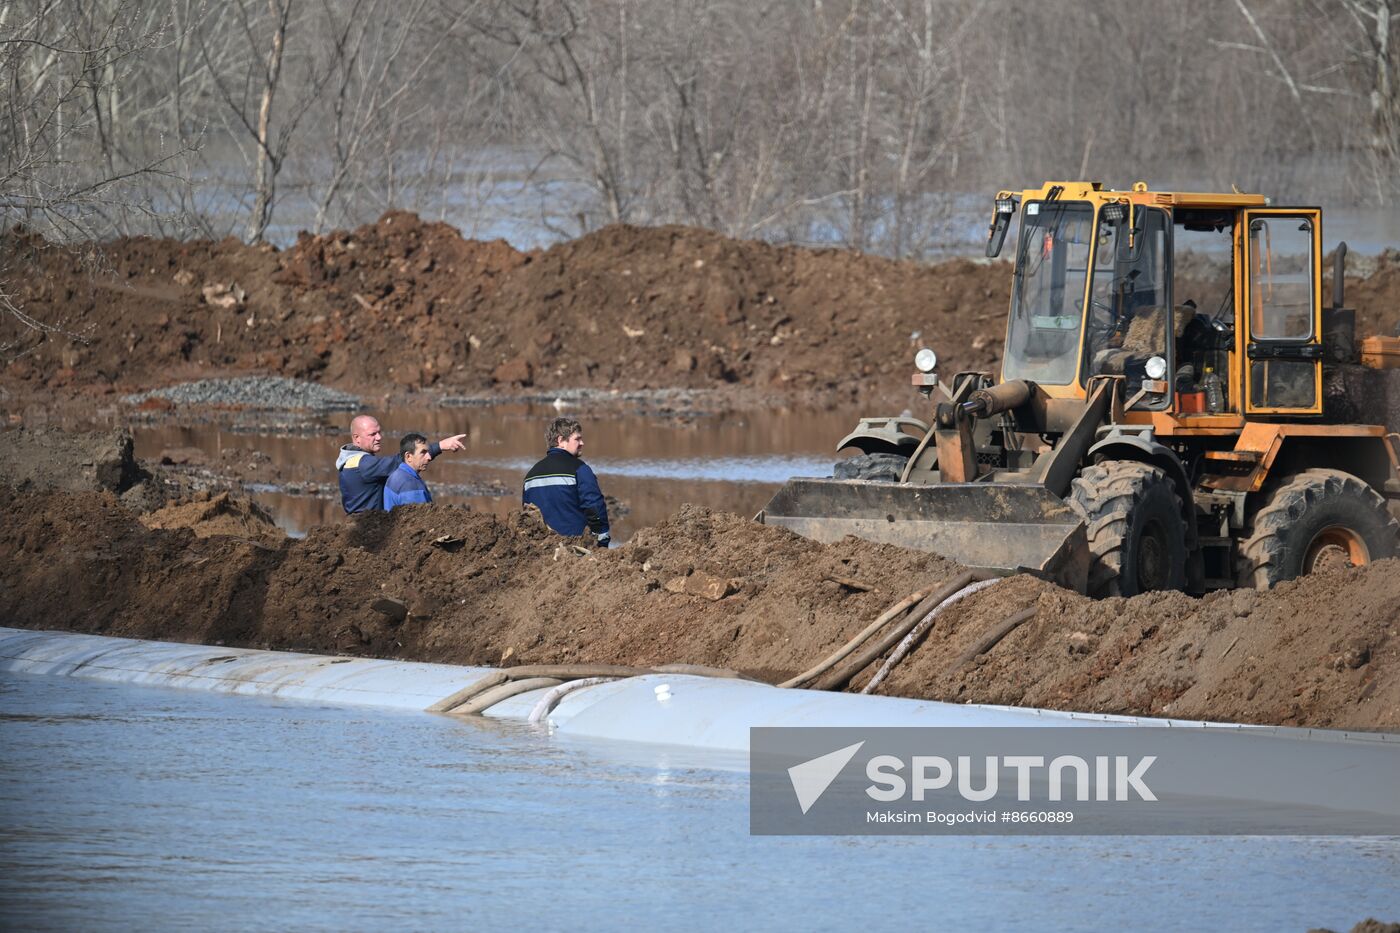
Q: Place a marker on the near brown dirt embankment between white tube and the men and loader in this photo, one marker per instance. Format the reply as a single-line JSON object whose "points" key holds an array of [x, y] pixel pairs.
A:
{"points": [[702, 588]]}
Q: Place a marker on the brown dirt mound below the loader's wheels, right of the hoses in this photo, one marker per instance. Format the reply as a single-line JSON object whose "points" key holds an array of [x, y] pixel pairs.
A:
{"points": [[1315, 652]]}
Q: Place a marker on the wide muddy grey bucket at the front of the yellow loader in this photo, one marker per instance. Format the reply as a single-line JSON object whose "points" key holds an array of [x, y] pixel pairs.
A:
{"points": [[1000, 527]]}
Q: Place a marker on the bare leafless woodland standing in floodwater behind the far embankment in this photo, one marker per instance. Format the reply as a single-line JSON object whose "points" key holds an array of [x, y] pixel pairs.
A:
{"points": [[856, 123]]}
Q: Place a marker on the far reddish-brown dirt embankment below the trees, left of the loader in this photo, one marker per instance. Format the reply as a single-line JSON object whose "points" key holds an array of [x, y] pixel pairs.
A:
{"points": [[412, 305]]}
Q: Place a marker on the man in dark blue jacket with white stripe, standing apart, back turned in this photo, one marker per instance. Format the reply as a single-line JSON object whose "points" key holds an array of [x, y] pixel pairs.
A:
{"points": [[565, 488]]}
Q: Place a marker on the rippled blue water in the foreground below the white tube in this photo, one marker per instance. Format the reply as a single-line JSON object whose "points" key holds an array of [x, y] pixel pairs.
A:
{"points": [[157, 809]]}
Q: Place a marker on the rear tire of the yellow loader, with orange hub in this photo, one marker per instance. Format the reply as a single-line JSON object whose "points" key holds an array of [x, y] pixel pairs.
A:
{"points": [[1312, 520]]}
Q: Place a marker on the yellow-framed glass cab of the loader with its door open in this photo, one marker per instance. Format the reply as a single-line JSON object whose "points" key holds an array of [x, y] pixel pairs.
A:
{"points": [[1203, 305]]}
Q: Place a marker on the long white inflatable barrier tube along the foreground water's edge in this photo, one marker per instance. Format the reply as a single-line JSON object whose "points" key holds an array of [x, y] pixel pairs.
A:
{"points": [[696, 712]]}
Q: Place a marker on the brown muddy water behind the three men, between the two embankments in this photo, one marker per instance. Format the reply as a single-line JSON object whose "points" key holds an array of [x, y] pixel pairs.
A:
{"points": [[652, 464]]}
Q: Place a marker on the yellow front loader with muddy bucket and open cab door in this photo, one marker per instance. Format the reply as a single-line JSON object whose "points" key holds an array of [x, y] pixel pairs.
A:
{"points": [[1160, 421]]}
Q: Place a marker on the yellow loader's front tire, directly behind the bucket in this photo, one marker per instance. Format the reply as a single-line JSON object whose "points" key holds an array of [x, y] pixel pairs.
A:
{"points": [[1137, 536]]}
